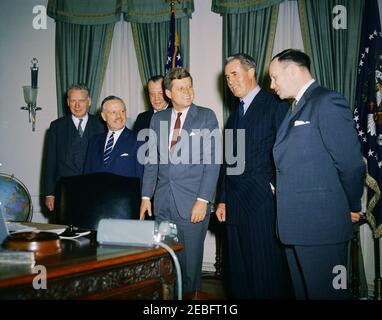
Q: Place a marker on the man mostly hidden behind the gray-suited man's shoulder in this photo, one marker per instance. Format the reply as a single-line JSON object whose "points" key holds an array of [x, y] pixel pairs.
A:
{"points": [[158, 102]]}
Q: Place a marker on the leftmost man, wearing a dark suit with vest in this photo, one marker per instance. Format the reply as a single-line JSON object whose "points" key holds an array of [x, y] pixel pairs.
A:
{"points": [[68, 139]]}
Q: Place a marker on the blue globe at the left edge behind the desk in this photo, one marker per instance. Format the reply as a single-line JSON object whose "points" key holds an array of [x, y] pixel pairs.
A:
{"points": [[15, 201]]}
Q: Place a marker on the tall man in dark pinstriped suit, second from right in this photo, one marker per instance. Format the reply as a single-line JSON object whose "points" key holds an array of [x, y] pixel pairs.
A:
{"points": [[257, 262]]}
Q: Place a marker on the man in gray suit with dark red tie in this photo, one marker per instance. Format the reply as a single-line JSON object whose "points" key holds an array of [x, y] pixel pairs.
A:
{"points": [[180, 174]]}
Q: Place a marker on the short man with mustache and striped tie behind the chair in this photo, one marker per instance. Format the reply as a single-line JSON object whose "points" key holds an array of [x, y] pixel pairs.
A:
{"points": [[114, 151]]}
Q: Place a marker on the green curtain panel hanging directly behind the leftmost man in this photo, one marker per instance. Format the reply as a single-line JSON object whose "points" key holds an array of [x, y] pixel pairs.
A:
{"points": [[81, 57]]}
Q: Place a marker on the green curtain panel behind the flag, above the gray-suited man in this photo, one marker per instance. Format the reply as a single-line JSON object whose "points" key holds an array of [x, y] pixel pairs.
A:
{"points": [[151, 40]]}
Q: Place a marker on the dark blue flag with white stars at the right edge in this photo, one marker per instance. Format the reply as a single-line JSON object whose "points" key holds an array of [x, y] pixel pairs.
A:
{"points": [[368, 110]]}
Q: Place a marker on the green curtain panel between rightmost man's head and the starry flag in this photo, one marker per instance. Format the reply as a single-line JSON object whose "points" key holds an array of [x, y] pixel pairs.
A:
{"points": [[333, 52]]}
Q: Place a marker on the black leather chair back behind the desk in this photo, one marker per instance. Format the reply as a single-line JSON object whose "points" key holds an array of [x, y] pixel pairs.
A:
{"points": [[82, 201]]}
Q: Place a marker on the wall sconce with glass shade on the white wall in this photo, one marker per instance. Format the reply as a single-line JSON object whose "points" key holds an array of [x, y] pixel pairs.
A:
{"points": [[30, 95]]}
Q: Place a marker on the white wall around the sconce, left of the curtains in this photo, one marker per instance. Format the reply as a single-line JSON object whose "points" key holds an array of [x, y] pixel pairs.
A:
{"points": [[21, 149]]}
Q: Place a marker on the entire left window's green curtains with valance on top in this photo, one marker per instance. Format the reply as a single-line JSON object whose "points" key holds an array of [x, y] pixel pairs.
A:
{"points": [[84, 31]]}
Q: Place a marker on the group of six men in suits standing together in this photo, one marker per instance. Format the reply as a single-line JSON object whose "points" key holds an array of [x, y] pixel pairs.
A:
{"points": [[288, 214]]}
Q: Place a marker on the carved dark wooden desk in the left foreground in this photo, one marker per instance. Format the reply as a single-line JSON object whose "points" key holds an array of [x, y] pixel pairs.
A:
{"points": [[89, 271]]}
